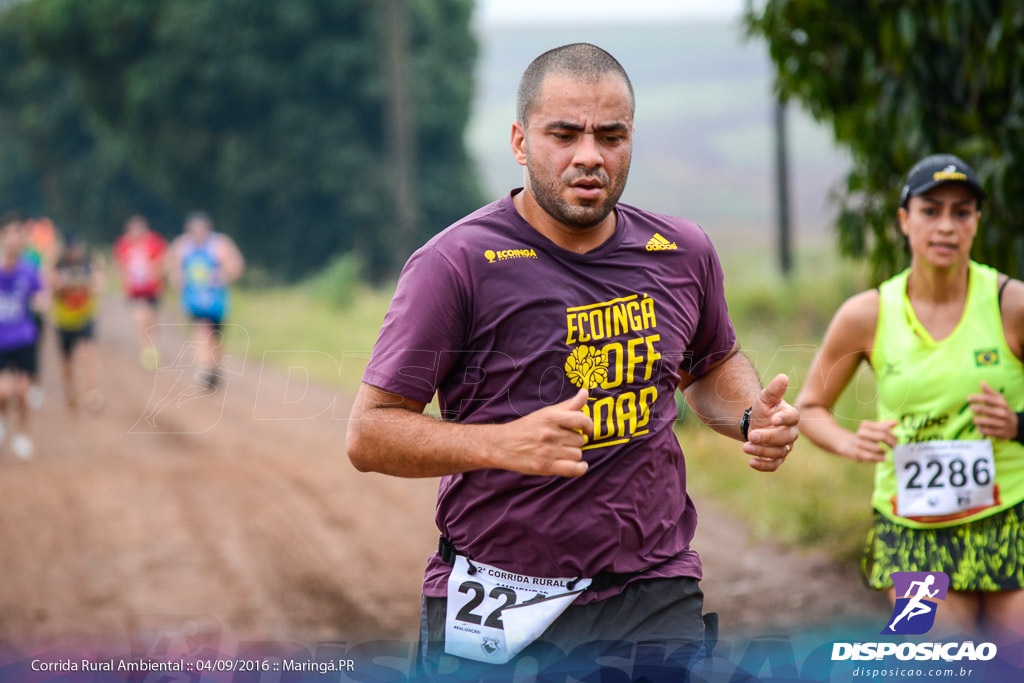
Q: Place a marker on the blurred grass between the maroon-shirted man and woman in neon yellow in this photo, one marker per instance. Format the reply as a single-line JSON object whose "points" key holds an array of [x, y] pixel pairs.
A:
{"points": [[817, 499]]}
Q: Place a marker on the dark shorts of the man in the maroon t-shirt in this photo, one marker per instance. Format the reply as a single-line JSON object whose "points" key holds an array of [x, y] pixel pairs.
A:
{"points": [[663, 615]]}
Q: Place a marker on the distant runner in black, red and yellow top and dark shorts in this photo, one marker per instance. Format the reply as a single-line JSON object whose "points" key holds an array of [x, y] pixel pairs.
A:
{"points": [[76, 283]]}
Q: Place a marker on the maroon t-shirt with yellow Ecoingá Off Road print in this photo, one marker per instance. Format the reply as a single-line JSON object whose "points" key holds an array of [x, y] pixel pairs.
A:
{"points": [[500, 322]]}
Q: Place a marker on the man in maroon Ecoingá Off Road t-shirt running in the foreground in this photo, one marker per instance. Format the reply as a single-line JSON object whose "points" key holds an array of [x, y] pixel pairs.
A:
{"points": [[554, 327]]}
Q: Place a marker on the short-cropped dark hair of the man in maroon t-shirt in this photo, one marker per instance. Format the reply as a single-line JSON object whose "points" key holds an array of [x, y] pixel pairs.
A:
{"points": [[582, 62]]}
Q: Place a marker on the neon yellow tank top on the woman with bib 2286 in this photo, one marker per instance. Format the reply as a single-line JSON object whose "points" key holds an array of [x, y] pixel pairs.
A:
{"points": [[924, 385]]}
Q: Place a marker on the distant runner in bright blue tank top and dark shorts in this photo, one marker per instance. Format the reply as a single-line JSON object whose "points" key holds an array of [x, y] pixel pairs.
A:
{"points": [[203, 264]]}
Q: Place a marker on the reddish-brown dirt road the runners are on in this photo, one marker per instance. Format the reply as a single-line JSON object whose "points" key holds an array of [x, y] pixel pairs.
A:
{"points": [[237, 517]]}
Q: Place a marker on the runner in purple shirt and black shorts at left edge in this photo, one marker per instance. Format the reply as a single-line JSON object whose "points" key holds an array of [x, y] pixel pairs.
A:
{"points": [[20, 286]]}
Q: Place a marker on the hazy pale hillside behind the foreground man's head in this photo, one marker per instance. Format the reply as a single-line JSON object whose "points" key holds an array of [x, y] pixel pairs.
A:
{"points": [[704, 146]]}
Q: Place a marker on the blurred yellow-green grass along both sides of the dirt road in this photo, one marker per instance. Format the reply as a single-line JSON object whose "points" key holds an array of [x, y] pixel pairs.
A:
{"points": [[817, 500]]}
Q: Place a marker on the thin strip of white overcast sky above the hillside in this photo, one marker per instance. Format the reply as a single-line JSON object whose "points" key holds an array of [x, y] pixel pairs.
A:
{"points": [[491, 13]]}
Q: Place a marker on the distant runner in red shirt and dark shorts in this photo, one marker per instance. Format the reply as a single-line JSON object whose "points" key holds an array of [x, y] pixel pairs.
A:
{"points": [[140, 254]]}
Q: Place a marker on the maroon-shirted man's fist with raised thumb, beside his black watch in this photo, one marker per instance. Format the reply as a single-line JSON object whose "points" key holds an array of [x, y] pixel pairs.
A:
{"points": [[774, 428]]}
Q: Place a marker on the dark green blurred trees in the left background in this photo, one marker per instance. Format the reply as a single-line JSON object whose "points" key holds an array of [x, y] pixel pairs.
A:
{"points": [[270, 115]]}
